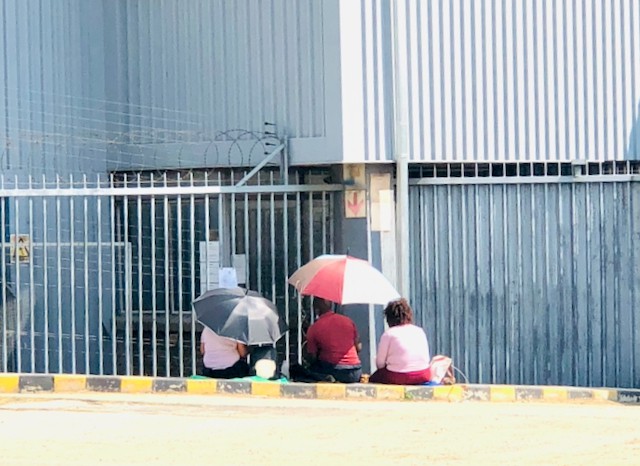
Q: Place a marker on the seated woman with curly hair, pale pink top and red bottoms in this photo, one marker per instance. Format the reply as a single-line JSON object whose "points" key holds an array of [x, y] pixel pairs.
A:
{"points": [[403, 352]]}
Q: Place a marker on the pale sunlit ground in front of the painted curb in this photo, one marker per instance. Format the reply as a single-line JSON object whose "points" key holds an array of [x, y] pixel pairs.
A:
{"points": [[116, 429]]}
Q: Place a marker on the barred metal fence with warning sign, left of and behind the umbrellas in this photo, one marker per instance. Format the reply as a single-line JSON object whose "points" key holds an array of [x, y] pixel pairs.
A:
{"points": [[99, 275]]}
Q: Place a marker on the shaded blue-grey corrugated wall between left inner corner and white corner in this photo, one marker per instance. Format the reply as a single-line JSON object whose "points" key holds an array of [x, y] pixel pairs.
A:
{"points": [[223, 64]]}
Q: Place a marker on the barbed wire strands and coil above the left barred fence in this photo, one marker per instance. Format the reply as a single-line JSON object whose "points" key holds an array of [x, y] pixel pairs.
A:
{"points": [[123, 134]]}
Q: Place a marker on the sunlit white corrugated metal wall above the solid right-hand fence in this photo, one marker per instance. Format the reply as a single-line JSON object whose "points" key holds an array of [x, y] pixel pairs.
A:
{"points": [[518, 80]]}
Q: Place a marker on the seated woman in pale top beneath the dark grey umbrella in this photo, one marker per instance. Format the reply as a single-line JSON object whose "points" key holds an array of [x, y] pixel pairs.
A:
{"points": [[223, 358]]}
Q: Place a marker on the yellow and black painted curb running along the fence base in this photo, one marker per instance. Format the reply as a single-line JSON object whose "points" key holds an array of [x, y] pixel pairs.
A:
{"points": [[66, 383]]}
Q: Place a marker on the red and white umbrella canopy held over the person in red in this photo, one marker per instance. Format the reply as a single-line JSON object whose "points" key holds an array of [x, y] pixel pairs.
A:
{"points": [[343, 280]]}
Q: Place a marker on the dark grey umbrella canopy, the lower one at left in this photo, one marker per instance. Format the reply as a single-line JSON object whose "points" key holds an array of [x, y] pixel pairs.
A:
{"points": [[241, 315]]}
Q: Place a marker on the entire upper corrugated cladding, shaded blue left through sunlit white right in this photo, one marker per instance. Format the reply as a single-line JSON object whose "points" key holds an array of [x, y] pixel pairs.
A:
{"points": [[485, 80]]}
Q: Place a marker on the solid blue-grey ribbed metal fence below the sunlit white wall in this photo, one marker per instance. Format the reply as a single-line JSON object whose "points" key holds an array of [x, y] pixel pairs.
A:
{"points": [[528, 273]]}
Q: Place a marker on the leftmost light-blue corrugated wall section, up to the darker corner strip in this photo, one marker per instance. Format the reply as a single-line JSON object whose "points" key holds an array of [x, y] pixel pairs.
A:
{"points": [[51, 86]]}
